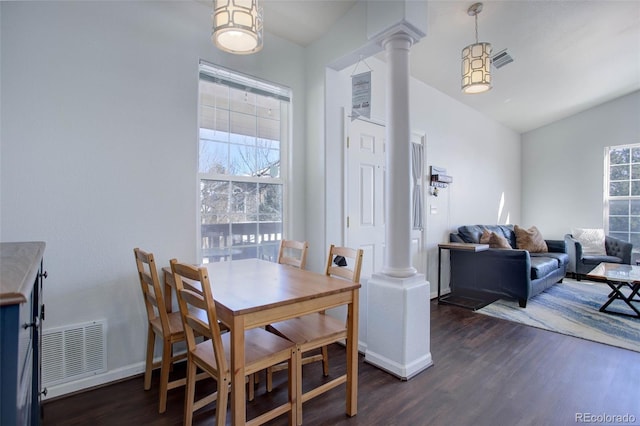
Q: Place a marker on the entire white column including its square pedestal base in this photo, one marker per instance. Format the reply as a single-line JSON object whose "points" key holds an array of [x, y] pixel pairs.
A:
{"points": [[398, 338]]}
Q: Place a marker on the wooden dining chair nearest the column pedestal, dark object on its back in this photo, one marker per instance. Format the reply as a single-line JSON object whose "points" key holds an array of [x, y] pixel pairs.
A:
{"points": [[317, 330]]}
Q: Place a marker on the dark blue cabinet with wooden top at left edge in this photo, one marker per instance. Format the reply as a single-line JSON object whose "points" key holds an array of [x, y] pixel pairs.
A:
{"points": [[21, 315]]}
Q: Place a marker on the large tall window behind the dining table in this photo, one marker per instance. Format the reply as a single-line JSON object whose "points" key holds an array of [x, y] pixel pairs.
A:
{"points": [[243, 137]]}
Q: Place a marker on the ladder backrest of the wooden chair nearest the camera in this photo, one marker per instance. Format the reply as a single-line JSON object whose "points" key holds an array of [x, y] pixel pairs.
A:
{"points": [[197, 307]]}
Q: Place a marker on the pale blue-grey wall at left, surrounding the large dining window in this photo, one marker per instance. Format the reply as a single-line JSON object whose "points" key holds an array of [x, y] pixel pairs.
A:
{"points": [[99, 147]]}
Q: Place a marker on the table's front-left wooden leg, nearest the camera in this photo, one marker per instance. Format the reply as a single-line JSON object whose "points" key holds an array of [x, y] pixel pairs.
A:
{"points": [[238, 398]]}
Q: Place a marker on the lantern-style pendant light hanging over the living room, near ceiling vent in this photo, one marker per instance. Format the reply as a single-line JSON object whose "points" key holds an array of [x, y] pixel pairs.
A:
{"points": [[476, 61]]}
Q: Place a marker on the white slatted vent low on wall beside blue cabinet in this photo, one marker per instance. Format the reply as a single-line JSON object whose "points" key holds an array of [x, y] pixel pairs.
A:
{"points": [[73, 352]]}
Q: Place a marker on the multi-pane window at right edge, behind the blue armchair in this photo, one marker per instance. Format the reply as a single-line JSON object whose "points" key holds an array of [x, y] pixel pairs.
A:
{"points": [[622, 194]]}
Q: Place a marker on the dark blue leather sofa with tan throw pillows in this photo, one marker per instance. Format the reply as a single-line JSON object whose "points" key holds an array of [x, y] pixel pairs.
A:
{"points": [[515, 274]]}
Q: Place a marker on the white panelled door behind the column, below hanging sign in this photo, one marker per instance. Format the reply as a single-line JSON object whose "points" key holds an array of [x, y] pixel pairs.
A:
{"points": [[366, 197]]}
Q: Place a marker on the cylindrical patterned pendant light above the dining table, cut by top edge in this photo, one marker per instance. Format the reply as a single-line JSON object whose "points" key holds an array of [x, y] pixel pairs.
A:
{"points": [[237, 26]]}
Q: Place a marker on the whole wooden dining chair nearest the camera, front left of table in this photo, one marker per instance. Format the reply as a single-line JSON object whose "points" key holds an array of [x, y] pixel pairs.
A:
{"points": [[262, 349]]}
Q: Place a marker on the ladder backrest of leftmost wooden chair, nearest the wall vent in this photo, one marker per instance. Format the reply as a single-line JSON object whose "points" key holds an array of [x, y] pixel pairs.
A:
{"points": [[153, 297]]}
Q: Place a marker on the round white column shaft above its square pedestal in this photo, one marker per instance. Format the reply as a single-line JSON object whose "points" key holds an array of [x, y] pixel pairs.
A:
{"points": [[398, 183]]}
